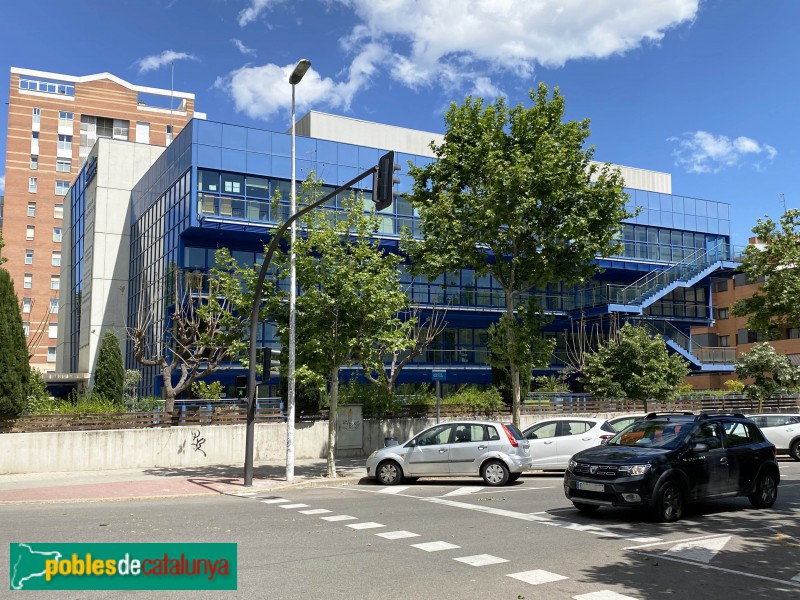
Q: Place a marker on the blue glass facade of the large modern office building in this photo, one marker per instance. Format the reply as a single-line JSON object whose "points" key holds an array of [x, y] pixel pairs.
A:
{"points": [[212, 188]]}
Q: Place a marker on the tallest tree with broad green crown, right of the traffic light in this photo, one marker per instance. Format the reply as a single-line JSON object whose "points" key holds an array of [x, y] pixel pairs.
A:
{"points": [[514, 193]]}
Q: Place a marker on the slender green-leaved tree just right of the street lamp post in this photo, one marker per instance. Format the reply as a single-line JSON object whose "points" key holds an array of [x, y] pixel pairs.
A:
{"points": [[350, 299]]}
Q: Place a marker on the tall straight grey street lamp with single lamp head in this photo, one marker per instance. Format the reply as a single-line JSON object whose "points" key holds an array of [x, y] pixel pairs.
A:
{"points": [[297, 75]]}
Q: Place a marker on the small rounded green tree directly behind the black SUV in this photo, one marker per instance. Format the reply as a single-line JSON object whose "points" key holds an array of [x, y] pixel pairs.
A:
{"points": [[634, 365]]}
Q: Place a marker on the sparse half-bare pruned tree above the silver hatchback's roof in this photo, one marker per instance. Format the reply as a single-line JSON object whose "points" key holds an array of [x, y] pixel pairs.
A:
{"points": [[412, 335]]}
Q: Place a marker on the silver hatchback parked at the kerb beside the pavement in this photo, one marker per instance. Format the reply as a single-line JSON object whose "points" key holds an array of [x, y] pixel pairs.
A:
{"points": [[496, 451]]}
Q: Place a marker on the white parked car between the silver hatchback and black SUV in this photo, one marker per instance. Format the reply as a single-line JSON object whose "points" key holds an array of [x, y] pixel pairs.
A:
{"points": [[554, 441]]}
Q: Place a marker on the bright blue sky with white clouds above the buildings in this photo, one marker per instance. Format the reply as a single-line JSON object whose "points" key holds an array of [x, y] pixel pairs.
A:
{"points": [[704, 89]]}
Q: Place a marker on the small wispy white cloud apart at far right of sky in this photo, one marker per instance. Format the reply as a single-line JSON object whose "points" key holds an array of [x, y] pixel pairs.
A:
{"points": [[703, 152]]}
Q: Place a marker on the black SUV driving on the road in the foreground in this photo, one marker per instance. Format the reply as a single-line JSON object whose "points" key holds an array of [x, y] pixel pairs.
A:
{"points": [[667, 460]]}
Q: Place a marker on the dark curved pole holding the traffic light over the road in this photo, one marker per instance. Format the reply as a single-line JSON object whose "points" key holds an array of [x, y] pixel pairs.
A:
{"points": [[254, 312]]}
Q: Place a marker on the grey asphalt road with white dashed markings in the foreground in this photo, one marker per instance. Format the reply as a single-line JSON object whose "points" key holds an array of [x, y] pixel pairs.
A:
{"points": [[449, 539]]}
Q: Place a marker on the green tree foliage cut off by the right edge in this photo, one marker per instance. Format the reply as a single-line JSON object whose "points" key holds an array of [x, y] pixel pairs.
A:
{"points": [[776, 262]]}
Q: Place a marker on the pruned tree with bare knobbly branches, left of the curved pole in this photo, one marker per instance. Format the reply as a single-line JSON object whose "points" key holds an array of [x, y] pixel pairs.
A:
{"points": [[207, 327]]}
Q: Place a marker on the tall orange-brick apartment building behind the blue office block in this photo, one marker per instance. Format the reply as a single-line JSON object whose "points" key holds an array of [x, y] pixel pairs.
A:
{"points": [[53, 122]]}
